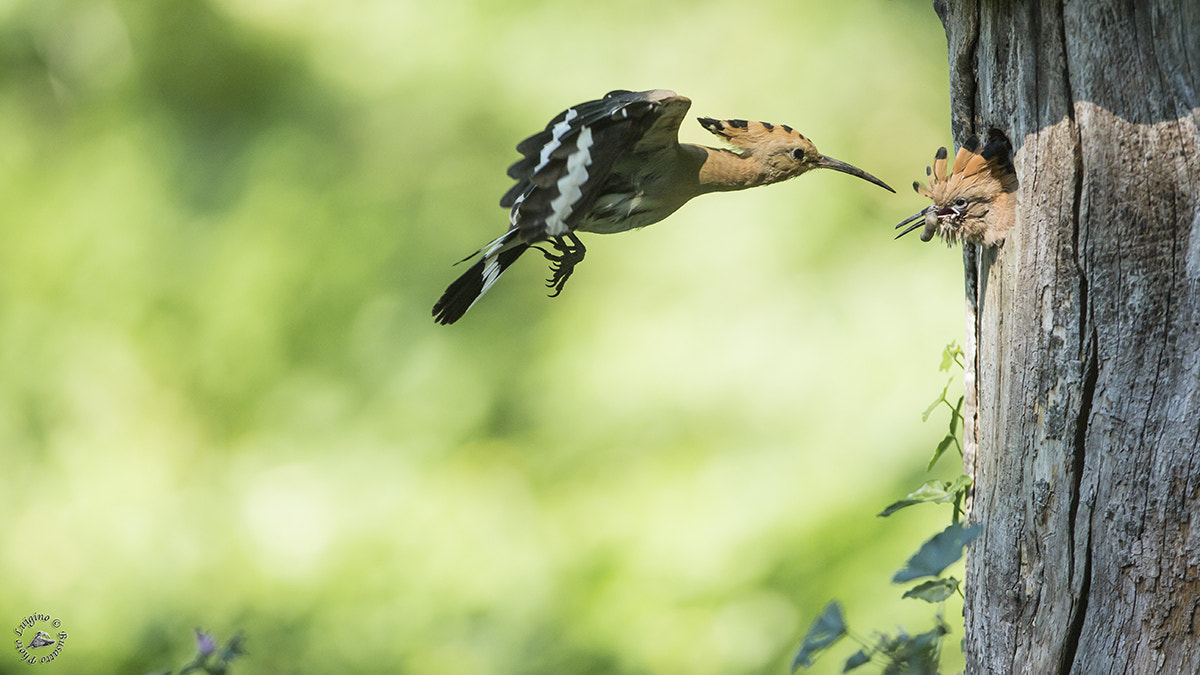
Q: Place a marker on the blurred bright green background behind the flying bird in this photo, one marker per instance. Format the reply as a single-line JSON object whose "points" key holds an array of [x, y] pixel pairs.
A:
{"points": [[224, 402]]}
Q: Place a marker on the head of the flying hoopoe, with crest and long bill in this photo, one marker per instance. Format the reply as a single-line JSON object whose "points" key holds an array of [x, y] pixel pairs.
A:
{"points": [[783, 152]]}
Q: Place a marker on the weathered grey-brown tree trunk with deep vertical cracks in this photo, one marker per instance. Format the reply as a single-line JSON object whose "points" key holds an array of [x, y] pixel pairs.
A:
{"points": [[1085, 440]]}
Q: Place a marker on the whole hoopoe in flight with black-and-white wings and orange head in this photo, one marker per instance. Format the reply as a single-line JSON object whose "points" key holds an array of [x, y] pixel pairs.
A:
{"points": [[616, 164]]}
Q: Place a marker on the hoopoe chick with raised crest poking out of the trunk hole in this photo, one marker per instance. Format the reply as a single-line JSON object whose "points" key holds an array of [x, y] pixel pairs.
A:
{"points": [[976, 202]]}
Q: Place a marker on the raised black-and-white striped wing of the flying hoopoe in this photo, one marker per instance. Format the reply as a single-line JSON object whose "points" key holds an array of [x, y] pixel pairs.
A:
{"points": [[566, 166]]}
